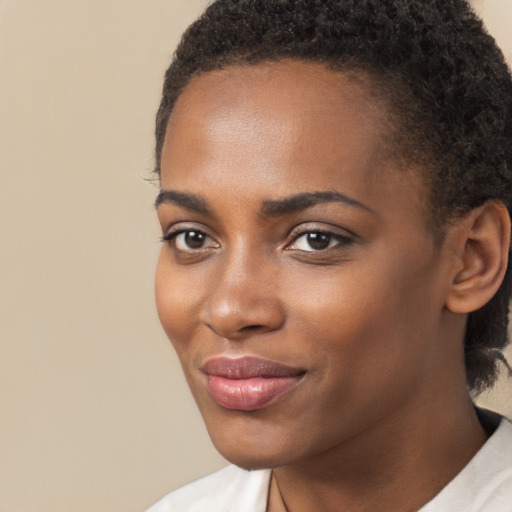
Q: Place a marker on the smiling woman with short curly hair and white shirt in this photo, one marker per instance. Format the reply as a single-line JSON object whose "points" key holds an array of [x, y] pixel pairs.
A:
{"points": [[335, 195]]}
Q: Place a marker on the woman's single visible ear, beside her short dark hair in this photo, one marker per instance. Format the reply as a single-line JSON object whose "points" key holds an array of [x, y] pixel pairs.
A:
{"points": [[481, 242]]}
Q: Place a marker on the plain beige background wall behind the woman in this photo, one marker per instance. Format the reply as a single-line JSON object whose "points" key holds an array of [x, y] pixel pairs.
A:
{"points": [[95, 416]]}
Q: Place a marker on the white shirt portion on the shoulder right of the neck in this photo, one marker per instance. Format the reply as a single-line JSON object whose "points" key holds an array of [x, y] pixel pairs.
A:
{"points": [[485, 484]]}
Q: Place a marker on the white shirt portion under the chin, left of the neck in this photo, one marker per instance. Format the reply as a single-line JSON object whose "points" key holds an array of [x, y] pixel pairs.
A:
{"points": [[229, 490]]}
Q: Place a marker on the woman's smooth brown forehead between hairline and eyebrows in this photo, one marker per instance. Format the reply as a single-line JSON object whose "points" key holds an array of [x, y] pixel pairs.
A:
{"points": [[293, 127]]}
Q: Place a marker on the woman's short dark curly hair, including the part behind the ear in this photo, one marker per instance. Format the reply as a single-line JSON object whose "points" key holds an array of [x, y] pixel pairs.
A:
{"points": [[445, 84]]}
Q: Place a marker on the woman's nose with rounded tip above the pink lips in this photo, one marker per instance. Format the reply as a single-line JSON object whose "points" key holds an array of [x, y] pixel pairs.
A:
{"points": [[243, 299]]}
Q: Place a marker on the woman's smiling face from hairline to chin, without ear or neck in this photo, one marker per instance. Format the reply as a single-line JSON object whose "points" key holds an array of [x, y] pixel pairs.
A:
{"points": [[298, 281]]}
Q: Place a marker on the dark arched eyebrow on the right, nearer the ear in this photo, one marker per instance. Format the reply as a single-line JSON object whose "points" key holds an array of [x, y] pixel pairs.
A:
{"points": [[276, 207]]}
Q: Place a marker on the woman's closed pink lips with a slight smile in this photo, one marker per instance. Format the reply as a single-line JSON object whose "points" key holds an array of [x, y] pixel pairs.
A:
{"points": [[248, 383]]}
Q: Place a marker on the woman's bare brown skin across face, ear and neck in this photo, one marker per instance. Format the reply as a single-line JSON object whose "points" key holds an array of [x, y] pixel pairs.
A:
{"points": [[382, 419]]}
